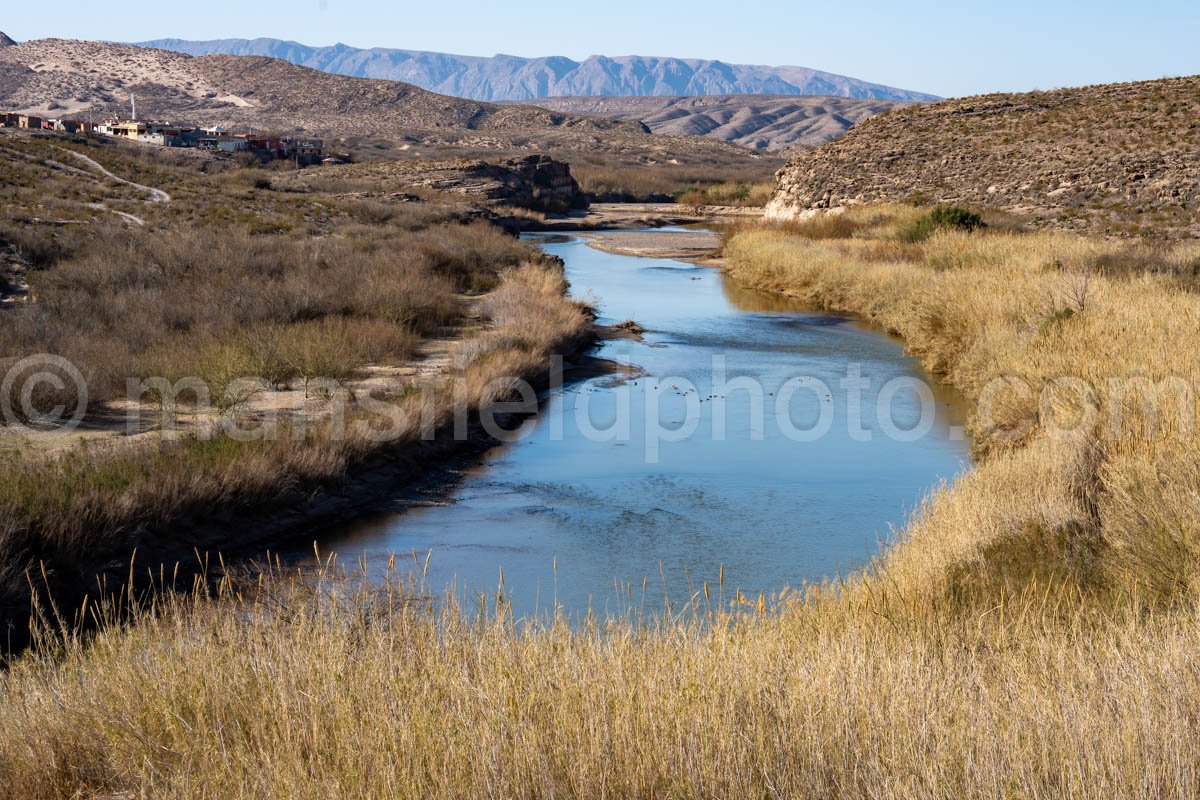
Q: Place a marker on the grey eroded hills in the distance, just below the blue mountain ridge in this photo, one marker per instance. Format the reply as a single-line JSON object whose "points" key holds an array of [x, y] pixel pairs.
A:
{"points": [[759, 122]]}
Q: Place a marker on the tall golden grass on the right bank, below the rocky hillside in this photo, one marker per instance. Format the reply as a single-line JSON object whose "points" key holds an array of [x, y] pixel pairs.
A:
{"points": [[1046, 310]]}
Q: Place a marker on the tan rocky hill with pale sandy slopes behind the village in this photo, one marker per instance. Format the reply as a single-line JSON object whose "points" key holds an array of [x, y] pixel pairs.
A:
{"points": [[70, 76]]}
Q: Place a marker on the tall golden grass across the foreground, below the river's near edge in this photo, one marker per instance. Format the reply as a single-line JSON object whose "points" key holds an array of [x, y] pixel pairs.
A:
{"points": [[335, 694]]}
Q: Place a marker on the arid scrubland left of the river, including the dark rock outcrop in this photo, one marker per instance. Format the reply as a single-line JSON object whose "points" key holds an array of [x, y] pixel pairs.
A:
{"points": [[135, 262]]}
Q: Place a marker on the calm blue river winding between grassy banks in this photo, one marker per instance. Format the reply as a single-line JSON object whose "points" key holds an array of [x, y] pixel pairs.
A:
{"points": [[759, 438]]}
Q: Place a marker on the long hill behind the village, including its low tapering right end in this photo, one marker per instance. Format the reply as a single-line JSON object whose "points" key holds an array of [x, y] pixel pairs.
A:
{"points": [[63, 77]]}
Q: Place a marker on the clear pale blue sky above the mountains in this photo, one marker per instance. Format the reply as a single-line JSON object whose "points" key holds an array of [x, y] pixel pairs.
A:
{"points": [[946, 49]]}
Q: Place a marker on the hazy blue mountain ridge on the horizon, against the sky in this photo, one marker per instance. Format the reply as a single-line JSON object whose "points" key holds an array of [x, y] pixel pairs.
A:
{"points": [[503, 79]]}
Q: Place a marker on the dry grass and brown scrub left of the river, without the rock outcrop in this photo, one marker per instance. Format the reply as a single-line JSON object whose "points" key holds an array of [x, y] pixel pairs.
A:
{"points": [[223, 285]]}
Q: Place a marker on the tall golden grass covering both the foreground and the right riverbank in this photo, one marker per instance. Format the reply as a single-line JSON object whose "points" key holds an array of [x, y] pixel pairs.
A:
{"points": [[1034, 634]]}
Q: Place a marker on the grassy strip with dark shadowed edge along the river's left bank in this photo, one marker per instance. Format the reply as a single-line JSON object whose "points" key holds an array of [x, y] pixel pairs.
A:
{"points": [[175, 500]]}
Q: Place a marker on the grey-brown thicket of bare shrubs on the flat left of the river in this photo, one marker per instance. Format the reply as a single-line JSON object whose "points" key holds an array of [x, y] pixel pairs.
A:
{"points": [[143, 305]]}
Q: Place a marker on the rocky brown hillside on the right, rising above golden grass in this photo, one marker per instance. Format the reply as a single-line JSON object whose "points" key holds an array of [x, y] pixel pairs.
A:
{"points": [[1118, 159]]}
